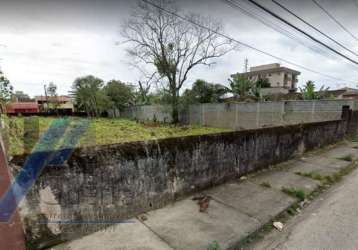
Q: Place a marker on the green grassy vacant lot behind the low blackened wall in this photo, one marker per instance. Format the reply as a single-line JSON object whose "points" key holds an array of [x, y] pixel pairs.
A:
{"points": [[102, 131]]}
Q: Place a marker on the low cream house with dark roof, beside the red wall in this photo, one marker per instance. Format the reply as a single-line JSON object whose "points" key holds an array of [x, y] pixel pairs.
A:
{"points": [[59, 104]]}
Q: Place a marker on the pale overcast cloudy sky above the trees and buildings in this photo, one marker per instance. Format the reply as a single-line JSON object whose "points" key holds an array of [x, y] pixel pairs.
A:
{"points": [[57, 41]]}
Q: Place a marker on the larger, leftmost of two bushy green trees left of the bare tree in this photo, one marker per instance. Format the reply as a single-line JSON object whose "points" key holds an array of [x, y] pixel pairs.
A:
{"points": [[89, 95]]}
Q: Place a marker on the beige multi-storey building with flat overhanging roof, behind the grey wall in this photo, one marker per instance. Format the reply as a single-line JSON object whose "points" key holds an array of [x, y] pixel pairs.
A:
{"points": [[282, 80]]}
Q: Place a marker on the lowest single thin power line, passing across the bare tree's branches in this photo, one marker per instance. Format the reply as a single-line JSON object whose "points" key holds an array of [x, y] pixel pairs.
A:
{"points": [[242, 43]]}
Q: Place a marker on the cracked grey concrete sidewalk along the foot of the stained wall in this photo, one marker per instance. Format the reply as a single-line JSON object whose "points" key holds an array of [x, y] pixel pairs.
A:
{"points": [[236, 209]]}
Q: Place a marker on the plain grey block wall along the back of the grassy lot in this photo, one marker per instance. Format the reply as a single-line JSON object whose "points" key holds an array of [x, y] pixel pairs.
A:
{"points": [[247, 115]]}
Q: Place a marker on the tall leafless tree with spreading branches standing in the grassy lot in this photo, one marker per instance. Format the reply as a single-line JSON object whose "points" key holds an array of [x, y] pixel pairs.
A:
{"points": [[172, 45]]}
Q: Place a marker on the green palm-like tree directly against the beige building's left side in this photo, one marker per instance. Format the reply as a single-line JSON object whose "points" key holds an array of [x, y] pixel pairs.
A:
{"points": [[240, 86]]}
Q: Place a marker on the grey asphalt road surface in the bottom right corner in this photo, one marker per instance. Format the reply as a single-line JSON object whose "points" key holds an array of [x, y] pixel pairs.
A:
{"points": [[330, 222]]}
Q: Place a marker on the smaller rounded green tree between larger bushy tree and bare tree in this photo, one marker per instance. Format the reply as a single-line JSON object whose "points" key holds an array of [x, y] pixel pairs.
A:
{"points": [[121, 94]]}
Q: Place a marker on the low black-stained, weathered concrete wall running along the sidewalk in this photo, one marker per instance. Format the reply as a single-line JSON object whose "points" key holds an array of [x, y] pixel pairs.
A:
{"points": [[119, 181]]}
